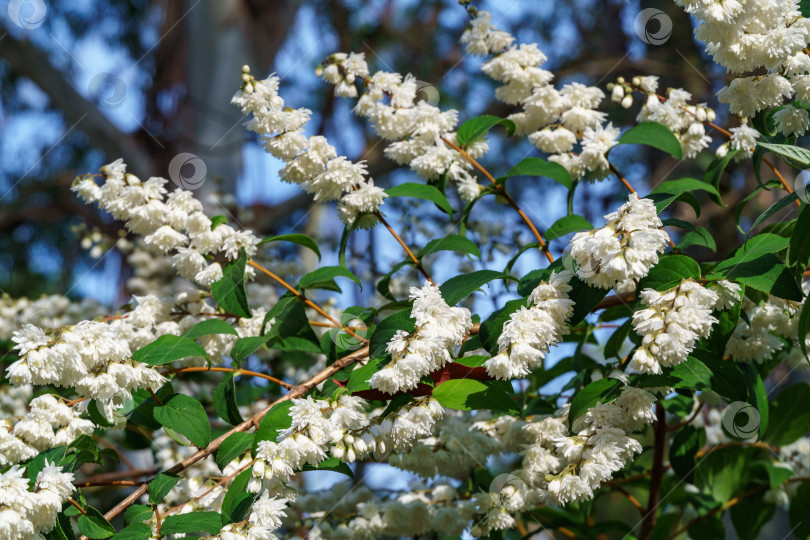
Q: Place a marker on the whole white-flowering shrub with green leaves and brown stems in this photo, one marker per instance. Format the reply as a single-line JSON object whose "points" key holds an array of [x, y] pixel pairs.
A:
{"points": [[661, 407]]}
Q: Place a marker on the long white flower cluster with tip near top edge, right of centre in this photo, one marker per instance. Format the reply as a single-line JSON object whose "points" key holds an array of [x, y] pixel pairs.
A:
{"points": [[554, 120]]}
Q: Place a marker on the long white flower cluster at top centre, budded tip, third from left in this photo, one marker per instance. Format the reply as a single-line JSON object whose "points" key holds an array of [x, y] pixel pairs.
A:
{"points": [[390, 104]]}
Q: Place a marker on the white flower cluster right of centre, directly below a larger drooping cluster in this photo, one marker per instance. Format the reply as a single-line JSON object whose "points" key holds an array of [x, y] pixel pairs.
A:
{"points": [[674, 320]]}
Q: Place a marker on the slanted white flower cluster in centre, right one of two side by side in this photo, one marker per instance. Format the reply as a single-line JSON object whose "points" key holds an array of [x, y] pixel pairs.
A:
{"points": [[531, 331]]}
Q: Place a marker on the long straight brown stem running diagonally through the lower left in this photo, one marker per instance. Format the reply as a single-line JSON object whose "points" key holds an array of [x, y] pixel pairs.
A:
{"points": [[251, 422]]}
